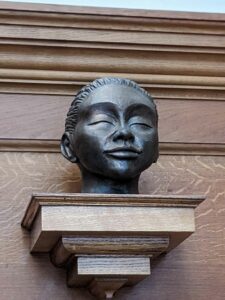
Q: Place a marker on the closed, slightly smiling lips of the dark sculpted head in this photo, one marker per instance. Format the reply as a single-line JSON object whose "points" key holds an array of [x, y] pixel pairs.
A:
{"points": [[123, 152]]}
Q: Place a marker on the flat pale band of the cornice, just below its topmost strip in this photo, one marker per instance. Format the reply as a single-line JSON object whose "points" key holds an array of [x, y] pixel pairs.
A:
{"points": [[112, 36]]}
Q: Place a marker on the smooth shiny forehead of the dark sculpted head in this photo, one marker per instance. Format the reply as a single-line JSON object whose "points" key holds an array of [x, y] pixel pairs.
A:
{"points": [[121, 96]]}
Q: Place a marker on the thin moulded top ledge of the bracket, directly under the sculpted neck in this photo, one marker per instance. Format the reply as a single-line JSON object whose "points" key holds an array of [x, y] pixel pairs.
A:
{"points": [[79, 199]]}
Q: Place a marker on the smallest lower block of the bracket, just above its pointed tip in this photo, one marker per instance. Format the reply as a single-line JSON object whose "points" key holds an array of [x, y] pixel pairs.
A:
{"points": [[85, 269]]}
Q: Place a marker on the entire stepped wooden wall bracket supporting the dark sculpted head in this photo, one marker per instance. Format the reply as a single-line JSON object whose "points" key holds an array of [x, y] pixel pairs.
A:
{"points": [[107, 241]]}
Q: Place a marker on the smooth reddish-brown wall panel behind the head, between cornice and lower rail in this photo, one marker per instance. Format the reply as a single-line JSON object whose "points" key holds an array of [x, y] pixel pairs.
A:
{"points": [[42, 117]]}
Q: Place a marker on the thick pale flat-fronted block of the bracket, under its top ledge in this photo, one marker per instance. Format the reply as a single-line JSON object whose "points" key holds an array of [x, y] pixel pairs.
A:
{"points": [[54, 222]]}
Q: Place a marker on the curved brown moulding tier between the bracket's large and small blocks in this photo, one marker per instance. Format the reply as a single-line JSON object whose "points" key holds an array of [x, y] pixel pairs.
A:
{"points": [[144, 245]]}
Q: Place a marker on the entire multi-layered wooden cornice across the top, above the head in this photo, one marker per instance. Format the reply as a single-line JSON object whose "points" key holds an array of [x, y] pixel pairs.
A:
{"points": [[173, 54]]}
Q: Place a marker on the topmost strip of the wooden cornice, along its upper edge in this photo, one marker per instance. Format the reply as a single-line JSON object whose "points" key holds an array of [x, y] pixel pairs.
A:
{"points": [[92, 17]]}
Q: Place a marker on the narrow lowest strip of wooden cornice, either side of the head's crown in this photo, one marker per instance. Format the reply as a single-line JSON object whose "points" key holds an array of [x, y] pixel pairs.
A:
{"points": [[69, 88]]}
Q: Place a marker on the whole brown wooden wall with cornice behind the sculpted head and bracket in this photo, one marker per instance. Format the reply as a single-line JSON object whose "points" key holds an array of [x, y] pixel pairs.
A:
{"points": [[48, 52]]}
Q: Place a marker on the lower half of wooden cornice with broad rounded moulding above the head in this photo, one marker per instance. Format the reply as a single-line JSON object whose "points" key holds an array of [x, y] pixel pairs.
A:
{"points": [[167, 73]]}
